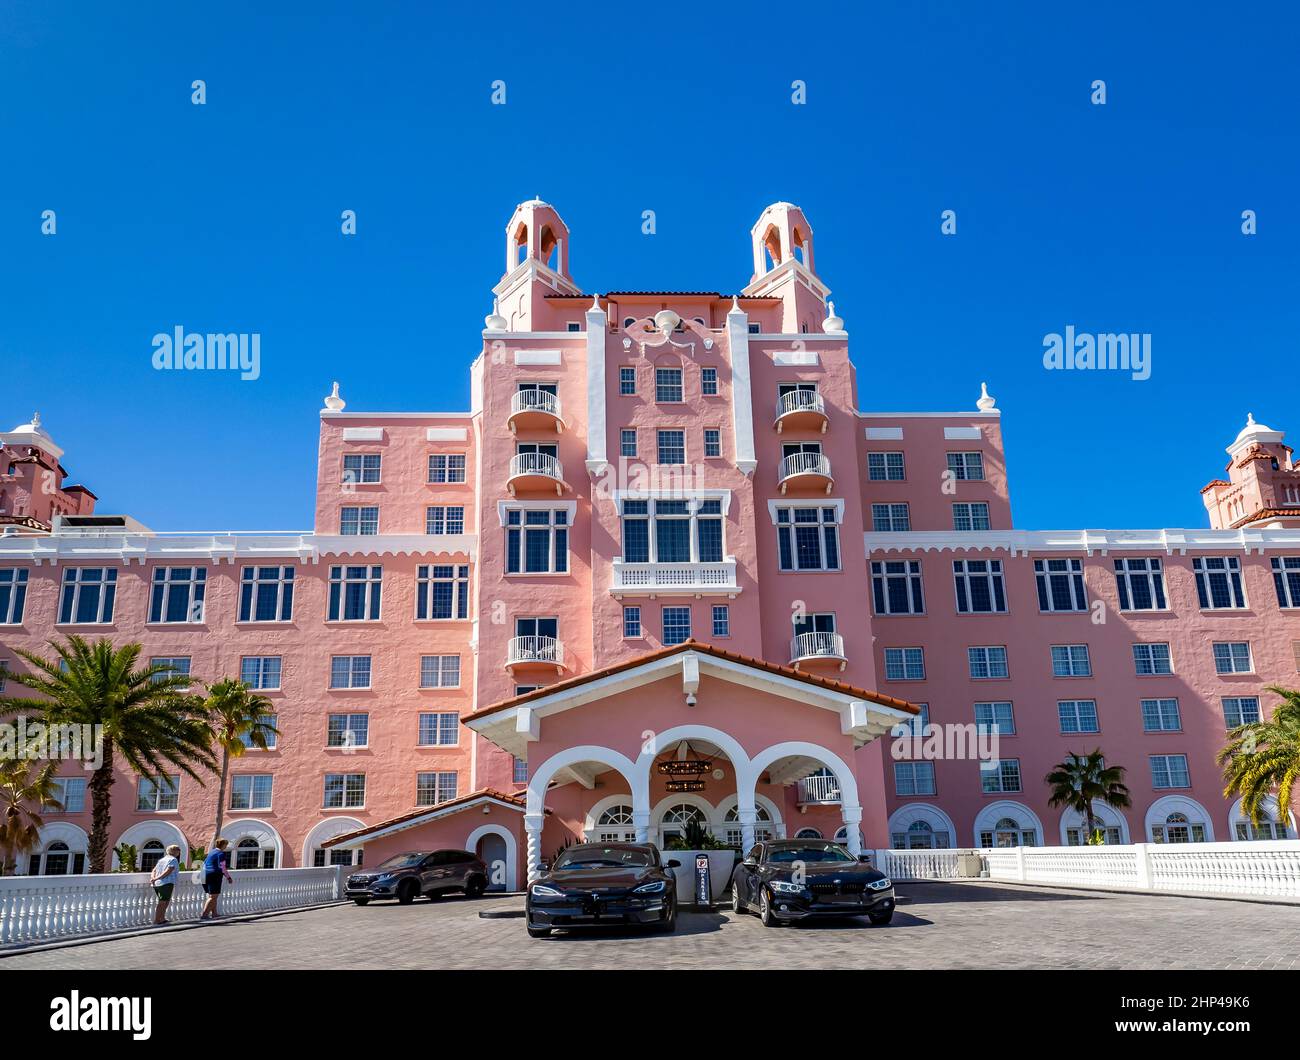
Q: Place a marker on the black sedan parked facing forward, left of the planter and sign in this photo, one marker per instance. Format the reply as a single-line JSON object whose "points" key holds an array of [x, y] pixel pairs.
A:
{"points": [[604, 885]]}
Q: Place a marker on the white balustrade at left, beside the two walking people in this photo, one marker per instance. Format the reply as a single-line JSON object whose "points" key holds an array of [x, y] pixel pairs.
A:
{"points": [[49, 908]]}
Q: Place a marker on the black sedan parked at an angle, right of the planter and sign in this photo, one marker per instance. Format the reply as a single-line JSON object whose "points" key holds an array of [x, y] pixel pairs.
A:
{"points": [[790, 880]]}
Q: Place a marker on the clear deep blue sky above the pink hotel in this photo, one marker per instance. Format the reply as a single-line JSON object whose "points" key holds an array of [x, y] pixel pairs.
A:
{"points": [[226, 218]]}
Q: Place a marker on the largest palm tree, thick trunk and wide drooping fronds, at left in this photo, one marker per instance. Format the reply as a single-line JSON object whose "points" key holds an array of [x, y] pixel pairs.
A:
{"points": [[138, 712]]}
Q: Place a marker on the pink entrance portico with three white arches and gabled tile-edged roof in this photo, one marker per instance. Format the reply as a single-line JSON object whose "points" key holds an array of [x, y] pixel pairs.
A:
{"points": [[606, 733]]}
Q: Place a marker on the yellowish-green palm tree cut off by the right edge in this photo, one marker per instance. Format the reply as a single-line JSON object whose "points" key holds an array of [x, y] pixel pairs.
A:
{"points": [[1263, 756]]}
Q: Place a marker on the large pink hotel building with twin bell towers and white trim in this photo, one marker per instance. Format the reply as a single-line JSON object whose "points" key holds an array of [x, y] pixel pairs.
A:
{"points": [[665, 531]]}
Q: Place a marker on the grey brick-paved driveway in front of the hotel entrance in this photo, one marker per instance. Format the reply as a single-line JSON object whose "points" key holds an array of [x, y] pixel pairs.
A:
{"points": [[946, 925]]}
